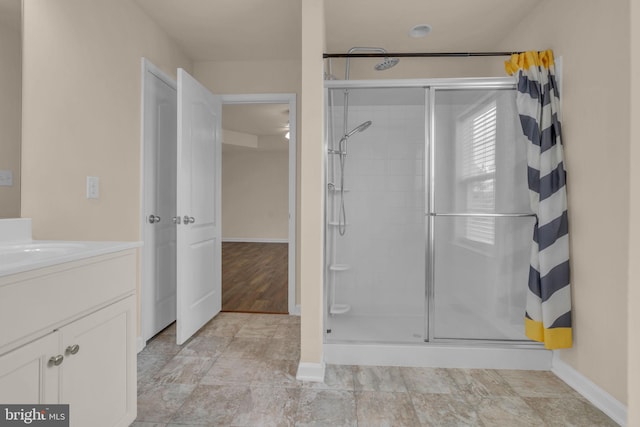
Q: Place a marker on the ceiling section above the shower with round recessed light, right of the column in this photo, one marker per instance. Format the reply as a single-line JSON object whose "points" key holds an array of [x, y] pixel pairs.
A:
{"points": [[457, 25]]}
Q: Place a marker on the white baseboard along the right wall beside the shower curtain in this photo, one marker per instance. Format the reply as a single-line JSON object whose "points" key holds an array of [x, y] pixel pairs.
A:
{"points": [[593, 393]]}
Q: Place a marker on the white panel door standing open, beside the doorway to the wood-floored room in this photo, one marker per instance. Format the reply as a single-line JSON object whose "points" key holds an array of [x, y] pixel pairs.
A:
{"points": [[199, 279]]}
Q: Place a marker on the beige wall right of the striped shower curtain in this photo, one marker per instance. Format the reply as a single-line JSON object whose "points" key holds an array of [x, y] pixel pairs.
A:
{"points": [[593, 39]]}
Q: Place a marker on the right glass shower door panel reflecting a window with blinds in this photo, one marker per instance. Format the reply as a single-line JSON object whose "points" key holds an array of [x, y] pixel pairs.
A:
{"points": [[480, 220]]}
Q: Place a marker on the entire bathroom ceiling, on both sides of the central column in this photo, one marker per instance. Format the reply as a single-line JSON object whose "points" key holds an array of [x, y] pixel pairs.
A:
{"points": [[231, 30]]}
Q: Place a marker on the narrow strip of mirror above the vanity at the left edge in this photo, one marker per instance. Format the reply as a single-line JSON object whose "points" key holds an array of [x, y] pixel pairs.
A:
{"points": [[10, 111]]}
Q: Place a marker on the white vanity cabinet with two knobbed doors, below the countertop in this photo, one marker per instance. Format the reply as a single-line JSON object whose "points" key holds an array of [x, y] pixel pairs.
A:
{"points": [[67, 335]]}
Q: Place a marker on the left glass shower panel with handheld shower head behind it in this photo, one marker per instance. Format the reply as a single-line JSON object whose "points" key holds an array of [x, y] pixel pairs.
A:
{"points": [[375, 242]]}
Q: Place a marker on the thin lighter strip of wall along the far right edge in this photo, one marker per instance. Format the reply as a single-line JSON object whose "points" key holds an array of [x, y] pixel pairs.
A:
{"points": [[633, 374]]}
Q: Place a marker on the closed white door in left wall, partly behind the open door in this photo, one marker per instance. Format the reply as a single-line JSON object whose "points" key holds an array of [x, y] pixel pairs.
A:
{"points": [[160, 116]]}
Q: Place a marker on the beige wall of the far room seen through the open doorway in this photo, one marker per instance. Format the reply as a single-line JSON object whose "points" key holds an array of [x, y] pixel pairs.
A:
{"points": [[255, 193]]}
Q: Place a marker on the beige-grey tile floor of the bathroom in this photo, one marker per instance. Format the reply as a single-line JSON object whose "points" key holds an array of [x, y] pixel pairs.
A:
{"points": [[239, 370]]}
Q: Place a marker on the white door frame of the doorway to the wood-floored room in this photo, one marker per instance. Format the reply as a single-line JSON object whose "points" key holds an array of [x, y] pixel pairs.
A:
{"points": [[290, 99]]}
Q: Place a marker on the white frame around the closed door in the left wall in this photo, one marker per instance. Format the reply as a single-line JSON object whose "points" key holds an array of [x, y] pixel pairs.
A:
{"points": [[147, 67]]}
